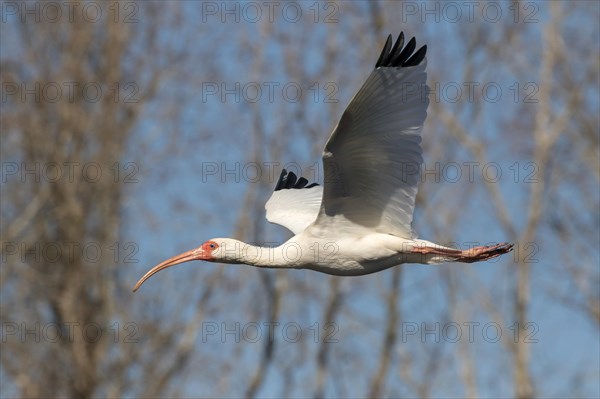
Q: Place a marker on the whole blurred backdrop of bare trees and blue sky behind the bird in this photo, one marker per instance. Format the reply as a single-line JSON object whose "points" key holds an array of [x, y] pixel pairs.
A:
{"points": [[156, 64]]}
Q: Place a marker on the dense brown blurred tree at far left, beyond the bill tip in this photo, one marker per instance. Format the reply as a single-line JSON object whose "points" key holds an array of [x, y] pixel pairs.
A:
{"points": [[74, 89]]}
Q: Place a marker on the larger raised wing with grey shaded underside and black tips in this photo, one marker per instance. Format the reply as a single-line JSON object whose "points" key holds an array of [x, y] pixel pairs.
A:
{"points": [[373, 156]]}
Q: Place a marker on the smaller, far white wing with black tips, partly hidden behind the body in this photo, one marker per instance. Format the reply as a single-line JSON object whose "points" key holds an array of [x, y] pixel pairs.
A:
{"points": [[294, 204]]}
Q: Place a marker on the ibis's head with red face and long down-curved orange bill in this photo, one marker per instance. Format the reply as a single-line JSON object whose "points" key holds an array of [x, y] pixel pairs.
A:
{"points": [[215, 250]]}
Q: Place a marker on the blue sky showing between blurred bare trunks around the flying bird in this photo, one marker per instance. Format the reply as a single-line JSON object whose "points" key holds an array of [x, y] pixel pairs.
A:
{"points": [[176, 204]]}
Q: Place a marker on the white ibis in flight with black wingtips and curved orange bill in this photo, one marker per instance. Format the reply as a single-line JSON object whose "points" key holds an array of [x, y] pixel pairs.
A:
{"points": [[359, 221]]}
